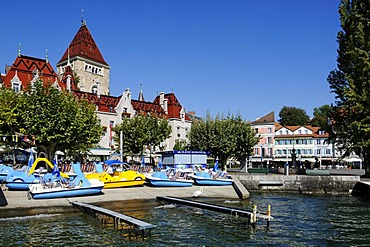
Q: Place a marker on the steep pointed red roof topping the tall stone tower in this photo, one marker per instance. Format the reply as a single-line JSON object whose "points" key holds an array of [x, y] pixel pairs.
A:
{"points": [[83, 45]]}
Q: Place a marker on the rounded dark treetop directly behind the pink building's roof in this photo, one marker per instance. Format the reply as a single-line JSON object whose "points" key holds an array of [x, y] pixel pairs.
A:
{"points": [[293, 116]]}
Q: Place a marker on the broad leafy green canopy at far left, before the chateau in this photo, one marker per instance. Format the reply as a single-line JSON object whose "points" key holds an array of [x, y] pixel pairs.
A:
{"points": [[56, 120]]}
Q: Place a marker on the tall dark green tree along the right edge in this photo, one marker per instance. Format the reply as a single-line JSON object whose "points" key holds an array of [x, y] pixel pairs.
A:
{"points": [[350, 82]]}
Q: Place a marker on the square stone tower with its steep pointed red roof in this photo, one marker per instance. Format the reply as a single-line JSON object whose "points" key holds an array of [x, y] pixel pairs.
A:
{"points": [[87, 63]]}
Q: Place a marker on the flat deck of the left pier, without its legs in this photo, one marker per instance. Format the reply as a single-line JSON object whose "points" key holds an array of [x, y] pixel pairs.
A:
{"points": [[142, 225]]}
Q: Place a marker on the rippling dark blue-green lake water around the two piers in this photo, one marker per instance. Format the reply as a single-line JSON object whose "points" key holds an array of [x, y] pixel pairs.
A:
{"points": [[300, 220]]}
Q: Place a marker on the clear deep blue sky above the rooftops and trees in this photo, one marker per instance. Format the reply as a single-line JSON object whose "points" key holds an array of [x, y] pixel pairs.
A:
{"points": [[247, 57]]}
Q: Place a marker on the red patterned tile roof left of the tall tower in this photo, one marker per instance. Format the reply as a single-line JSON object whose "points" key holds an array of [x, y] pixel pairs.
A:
{"points": [[25, 67]]}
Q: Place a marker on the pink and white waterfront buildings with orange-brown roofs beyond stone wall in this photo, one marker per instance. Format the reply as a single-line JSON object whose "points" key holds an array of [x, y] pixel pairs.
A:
{"points": [[277, 143]]}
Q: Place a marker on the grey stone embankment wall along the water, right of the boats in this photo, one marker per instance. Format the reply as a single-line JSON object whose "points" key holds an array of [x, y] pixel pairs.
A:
{"points": [[298, 183]]}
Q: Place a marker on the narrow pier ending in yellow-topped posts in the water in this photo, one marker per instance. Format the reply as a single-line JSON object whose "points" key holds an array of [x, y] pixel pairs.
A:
{"points": [[251, 215]]}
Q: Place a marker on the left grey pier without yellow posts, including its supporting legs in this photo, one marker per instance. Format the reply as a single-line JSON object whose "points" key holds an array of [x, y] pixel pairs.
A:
{"points": [[118, 218]]}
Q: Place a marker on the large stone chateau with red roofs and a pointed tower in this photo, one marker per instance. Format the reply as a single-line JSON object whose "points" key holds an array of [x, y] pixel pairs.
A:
{"points": [[83, 70]]}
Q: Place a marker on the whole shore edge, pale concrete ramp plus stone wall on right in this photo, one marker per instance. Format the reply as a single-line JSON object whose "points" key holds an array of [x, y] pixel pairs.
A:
{"points": [[18, 202]]}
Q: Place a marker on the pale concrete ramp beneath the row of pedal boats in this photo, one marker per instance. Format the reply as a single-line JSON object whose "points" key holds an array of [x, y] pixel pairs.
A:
{"points": [[19, 203]]}
